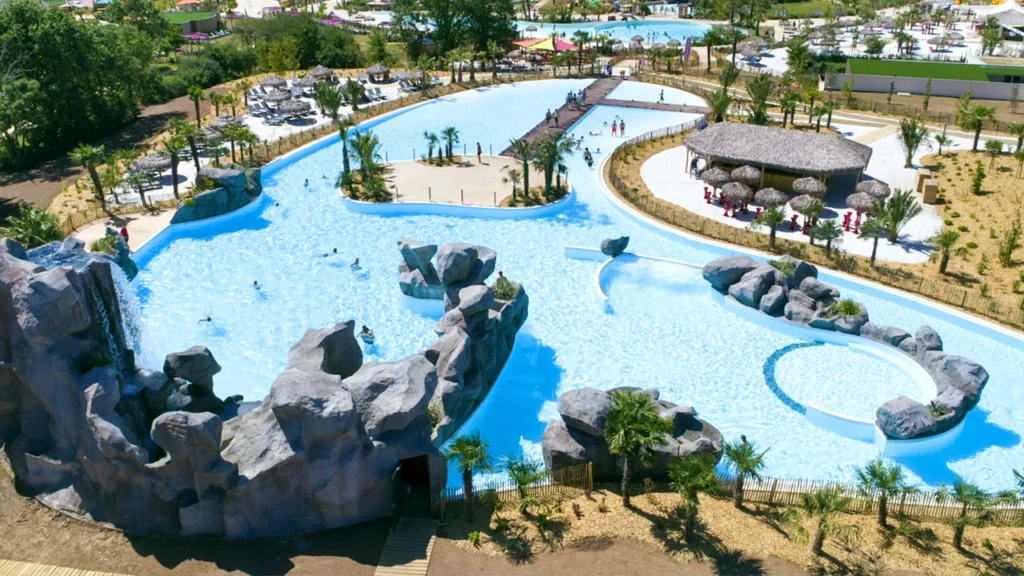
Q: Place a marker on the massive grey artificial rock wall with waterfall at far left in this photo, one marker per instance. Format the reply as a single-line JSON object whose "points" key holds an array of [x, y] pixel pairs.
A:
{"points": [[88, 432]]}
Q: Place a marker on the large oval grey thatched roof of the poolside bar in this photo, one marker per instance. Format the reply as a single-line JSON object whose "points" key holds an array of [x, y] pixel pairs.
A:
{"points": [[787, 151]]}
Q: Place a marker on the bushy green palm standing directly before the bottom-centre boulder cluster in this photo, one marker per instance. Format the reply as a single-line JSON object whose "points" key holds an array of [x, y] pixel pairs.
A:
{"points": [[633, 429]]}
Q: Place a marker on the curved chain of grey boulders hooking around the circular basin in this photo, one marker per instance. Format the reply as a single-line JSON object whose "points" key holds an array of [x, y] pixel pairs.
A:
{"points": [[802, 299]]}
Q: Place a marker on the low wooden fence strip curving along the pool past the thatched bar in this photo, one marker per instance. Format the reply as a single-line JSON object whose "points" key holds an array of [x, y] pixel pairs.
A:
{"points": [[970, 301]]}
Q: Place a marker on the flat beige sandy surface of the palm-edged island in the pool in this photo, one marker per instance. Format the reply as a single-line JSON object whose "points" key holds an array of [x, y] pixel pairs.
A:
{"points": [[482, 184]]}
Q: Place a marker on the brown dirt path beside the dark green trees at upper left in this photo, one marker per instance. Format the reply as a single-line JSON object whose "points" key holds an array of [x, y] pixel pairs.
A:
{"points": [[42, 184]]}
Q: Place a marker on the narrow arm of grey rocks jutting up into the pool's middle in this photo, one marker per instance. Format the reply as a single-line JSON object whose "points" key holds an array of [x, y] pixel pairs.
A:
{"points": [[478, 332]]}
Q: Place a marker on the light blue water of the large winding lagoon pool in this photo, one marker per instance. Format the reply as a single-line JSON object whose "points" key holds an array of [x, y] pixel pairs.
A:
{"points": [[665, 327]]}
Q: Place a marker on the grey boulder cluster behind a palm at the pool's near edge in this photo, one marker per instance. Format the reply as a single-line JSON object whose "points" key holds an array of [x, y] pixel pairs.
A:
{"points": [[579, 436]]}
